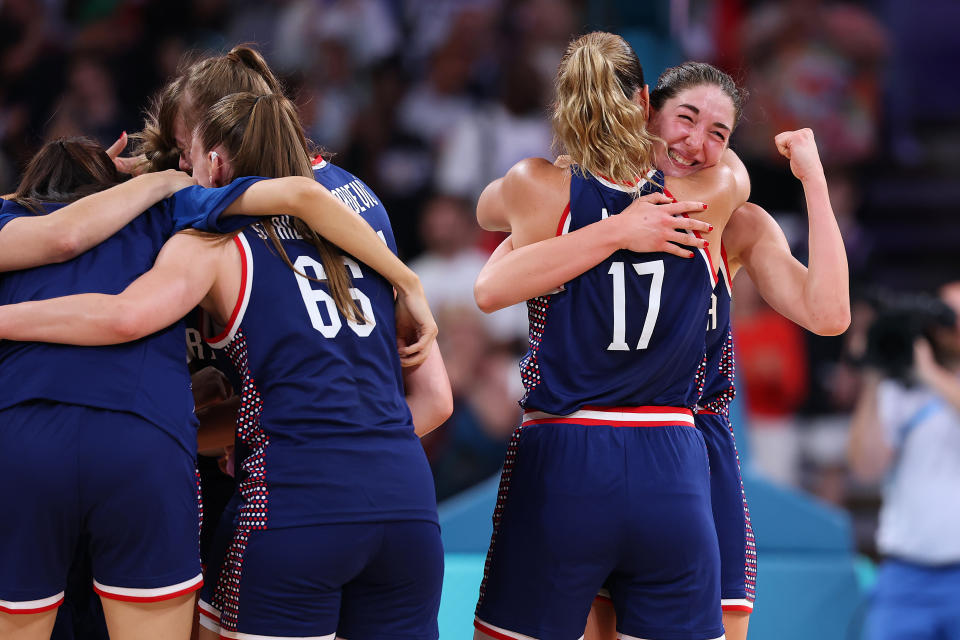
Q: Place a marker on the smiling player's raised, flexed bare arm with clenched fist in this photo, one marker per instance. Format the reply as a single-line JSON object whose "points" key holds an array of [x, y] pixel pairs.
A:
{"points": [[815, 297]]}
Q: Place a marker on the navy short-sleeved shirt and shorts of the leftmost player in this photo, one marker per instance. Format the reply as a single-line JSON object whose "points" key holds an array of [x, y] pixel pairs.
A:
{"points": [[75, 423]]}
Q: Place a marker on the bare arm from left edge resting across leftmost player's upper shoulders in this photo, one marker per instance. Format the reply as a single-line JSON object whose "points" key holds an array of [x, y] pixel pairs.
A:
{"points": [[31, 241]]}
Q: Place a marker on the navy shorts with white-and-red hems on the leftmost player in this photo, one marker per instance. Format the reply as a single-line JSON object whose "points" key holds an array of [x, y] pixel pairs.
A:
{"points": [[109, 478]]}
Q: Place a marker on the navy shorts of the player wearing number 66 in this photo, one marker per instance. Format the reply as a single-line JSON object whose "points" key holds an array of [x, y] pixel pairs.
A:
{"points": [[369, 581]]}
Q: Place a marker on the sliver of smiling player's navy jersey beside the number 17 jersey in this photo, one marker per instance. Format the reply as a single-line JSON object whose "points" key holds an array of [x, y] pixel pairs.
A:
{"points": [[718, 373]]}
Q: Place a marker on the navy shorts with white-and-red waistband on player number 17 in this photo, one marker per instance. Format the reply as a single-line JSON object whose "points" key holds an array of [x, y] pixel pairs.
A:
{"points": [[587, 504]]}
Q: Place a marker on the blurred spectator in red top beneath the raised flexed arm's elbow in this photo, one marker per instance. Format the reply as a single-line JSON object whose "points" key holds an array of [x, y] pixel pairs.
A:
{"points": [[773, 366]]}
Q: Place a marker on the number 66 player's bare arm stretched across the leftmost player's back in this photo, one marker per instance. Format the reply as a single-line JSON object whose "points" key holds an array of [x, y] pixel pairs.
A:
{"points": [[181, 277]]}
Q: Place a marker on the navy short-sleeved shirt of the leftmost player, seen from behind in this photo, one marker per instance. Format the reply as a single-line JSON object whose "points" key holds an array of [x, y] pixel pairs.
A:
{"points": [[147, 377]]}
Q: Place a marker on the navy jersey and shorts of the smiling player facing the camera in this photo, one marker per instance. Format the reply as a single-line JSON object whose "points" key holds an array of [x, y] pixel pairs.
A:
{"points": [[738, 553]]}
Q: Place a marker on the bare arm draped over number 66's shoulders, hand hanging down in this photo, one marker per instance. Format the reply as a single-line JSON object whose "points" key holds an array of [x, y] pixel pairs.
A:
{"points": [[335, 221]]}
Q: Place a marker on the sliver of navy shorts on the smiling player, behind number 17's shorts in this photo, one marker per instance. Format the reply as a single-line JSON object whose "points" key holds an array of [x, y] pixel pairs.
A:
{"points": [[738, 551]]}
